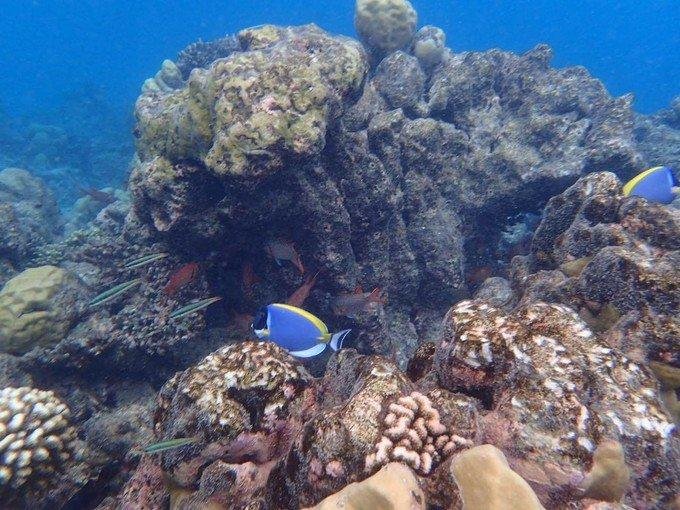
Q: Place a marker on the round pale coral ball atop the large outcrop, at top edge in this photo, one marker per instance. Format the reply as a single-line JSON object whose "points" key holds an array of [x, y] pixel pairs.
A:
{"points": [[385, 25]]}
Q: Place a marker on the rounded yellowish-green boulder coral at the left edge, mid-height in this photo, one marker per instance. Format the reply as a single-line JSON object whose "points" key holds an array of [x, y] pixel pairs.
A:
{"points": [[36, 308]]}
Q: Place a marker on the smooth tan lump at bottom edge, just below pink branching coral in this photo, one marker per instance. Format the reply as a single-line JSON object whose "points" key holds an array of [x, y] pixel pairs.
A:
{"points": [[394, 487]]}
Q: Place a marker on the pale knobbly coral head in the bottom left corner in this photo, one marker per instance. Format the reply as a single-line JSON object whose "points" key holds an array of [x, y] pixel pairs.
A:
{"points": [[37, 440]]}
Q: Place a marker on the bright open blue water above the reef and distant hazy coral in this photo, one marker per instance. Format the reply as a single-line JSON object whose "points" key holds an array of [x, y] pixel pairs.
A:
{"points": [[51, 47]]}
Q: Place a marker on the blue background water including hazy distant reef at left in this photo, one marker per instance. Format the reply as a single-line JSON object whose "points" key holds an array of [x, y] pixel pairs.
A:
{"points": [[70, 70]]}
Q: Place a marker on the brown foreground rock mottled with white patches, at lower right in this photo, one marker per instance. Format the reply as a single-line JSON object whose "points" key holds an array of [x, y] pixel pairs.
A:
{"points": [[536, 367]]}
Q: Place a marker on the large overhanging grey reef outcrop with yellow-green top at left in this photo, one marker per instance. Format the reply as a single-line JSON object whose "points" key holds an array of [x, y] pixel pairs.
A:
{"points": [[390, 171]]}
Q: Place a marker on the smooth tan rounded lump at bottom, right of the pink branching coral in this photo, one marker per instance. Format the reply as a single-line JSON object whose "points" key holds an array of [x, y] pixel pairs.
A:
{"points": [[486, 481]]}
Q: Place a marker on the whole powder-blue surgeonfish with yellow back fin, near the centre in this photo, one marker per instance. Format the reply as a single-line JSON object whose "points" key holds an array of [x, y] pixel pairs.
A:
{"points": [[296, 330]]}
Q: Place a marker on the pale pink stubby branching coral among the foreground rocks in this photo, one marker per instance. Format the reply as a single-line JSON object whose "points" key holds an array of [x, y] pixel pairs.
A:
{"points": [[414, 435]]}
